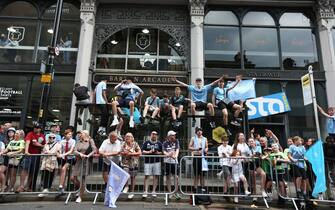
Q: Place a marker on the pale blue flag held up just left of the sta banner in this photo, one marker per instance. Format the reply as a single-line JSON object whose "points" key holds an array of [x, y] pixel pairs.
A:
{"points": [[244, 90]]}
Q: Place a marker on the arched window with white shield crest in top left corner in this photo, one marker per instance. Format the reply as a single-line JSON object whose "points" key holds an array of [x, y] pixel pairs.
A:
{"points": [[17, 36]]}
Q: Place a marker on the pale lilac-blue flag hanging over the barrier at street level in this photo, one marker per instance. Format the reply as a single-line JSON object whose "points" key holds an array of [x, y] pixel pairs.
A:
{"points": [[116, 180]]}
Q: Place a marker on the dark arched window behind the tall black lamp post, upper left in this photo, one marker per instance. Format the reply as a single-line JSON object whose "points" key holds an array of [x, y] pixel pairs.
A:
{"points": [[68, 37]]}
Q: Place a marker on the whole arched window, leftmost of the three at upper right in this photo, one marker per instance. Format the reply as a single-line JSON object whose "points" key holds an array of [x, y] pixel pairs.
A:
{"points": [[221, 40]]}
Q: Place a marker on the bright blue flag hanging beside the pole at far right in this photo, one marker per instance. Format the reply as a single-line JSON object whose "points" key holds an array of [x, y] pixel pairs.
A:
{"points": [[315, 156]]}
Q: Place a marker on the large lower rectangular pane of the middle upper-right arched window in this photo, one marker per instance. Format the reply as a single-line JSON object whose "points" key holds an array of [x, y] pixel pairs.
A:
{"points": [[260, 48]]}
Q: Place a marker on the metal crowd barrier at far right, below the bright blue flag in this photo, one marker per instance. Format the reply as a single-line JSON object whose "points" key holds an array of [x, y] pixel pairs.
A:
{"points": [[287, 188]]}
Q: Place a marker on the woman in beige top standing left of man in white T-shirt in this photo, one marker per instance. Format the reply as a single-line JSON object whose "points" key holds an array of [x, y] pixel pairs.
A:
{"points": [[84, 149]]}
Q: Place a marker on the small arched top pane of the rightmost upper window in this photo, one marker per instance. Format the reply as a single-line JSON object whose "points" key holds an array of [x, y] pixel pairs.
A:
{"points": [[294, 19]]}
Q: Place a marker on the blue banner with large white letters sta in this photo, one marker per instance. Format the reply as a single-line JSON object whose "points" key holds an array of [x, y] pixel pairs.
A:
{"points": [[267, 105]]}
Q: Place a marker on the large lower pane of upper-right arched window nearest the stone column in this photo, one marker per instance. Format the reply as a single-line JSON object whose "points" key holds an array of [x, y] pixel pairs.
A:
{"points": [[222, 47]]}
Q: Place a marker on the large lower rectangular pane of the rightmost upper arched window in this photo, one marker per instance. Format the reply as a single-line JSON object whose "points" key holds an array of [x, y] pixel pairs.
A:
{"points": [[298, 47]]}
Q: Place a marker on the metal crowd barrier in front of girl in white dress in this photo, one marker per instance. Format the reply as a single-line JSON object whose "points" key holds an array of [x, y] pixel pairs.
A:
{"points": [[214, 184]]}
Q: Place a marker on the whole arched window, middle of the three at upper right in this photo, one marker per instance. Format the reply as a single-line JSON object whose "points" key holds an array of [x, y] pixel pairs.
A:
{"points": [[260, 41]]}
